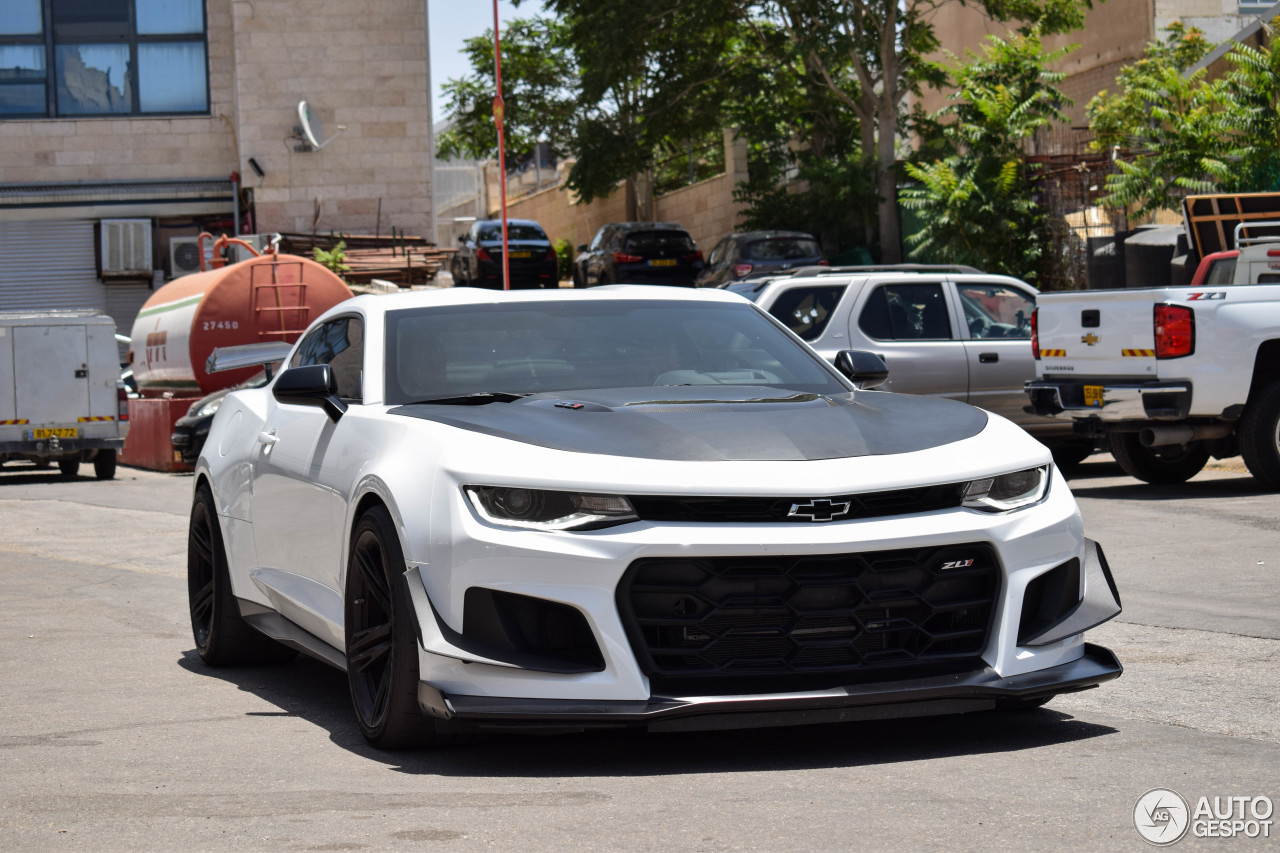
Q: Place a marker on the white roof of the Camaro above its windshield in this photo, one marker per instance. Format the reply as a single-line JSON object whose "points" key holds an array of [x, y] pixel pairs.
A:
{"points": [[373, 304]]}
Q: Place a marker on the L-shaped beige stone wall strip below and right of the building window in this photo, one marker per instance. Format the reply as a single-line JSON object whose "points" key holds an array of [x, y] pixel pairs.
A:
{"points": [[115, 149]]}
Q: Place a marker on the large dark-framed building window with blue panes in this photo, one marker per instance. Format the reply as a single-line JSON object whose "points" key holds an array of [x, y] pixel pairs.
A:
{"points": [[83, 58]]}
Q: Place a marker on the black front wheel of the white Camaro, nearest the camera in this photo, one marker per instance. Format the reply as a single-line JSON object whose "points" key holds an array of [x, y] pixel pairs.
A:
{"points": [[382, 645]]}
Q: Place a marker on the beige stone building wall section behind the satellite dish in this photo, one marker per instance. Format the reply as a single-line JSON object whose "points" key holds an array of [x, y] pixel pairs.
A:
{"points": [[359, 63]]}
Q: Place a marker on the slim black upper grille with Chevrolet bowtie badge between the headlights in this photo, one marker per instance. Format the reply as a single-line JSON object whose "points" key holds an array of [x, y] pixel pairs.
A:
{"points": [[779, 509]]}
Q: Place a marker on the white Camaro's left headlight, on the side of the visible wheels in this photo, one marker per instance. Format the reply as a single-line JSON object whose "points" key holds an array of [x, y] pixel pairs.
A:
{"points": [[546, 510]]}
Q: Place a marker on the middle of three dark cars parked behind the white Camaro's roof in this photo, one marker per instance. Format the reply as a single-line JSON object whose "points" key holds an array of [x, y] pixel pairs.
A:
{"points": [[639, 253]]}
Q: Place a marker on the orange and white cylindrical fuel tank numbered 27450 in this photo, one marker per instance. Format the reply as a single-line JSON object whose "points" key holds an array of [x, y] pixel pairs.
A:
{"points": [[271, 298]]}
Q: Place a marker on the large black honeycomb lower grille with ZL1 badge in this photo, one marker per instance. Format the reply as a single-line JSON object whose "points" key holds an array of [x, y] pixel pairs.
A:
{"points": [[807, 622]]}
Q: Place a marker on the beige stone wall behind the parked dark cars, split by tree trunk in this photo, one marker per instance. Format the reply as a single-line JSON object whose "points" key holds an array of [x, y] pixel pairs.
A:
{"points": [[706, 209]]}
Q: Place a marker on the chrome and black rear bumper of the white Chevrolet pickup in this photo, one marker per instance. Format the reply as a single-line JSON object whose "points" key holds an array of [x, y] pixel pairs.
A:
{"points": [[1064, 400]]}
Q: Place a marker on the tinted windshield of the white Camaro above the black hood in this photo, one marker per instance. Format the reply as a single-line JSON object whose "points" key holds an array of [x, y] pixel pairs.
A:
{"points": [[533, 348]]}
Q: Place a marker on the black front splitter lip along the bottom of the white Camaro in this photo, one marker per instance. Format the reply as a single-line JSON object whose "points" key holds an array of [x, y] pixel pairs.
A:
{"points": [[959, 694]]}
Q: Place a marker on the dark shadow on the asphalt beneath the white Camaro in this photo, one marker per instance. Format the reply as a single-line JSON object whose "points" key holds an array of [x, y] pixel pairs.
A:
{"points": [[318, 694]]}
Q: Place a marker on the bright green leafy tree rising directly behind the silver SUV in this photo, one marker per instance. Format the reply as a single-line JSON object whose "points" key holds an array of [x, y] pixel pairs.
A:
{"points": [[979, 203]]}
